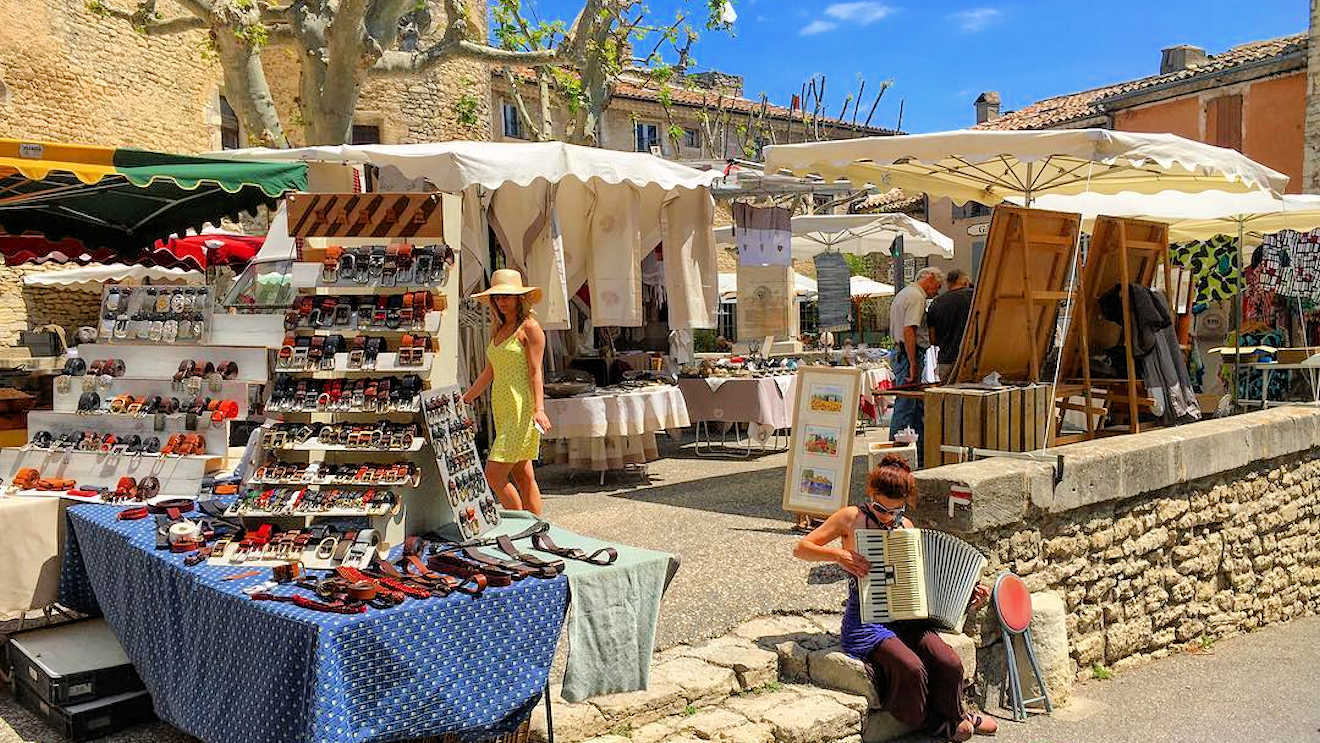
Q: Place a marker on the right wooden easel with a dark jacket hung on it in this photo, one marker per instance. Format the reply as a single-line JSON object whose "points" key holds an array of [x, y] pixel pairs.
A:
{"points": [[1124, 253]]}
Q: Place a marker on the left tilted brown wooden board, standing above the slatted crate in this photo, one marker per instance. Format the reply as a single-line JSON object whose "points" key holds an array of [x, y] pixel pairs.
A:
{"points": [[1024, 276]]}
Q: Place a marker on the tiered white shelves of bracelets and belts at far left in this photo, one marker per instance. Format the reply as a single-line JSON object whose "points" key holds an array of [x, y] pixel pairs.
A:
{"points": [[134, 422]]}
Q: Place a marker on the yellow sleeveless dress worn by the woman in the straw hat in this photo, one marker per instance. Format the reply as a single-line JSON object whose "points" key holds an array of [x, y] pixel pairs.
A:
{"points": [[513, 403]]}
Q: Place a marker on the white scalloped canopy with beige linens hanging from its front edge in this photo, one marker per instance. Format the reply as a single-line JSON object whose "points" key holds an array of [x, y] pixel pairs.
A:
{"points": [[567, 216]]}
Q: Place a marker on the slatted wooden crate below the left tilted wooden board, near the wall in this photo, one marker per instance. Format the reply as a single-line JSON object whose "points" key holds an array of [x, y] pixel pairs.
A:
{"points": [[1006, 420]]}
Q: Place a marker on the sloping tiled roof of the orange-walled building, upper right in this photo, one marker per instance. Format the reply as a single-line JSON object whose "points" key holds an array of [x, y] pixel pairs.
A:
{"points": [[1063, 110]]}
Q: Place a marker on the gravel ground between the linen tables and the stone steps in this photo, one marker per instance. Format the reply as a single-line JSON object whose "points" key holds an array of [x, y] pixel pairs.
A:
{"points": [[723, 518]]}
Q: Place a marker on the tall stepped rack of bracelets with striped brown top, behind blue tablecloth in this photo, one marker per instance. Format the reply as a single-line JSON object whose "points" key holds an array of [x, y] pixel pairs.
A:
{"points": [[362, 306]]}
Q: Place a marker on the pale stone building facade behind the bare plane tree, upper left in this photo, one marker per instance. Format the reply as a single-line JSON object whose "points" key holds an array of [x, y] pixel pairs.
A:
{"points": [[68, 75]]}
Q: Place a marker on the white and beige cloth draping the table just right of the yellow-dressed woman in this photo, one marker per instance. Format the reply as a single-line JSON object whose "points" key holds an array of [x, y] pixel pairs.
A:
{"points": [[612, 430]]}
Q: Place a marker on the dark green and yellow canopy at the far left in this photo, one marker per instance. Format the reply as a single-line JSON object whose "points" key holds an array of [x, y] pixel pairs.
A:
{"points": [[122, 200]]}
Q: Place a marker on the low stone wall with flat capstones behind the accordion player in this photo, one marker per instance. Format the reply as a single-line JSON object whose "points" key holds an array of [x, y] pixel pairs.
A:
{"points": [[1149, 568]]}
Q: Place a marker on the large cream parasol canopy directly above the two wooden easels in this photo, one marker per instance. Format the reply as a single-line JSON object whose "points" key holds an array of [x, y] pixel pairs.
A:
{"points": [[989, 167]]}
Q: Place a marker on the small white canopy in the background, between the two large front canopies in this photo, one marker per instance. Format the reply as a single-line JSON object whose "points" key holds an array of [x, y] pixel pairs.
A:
{"points": [[859, 234]]}
